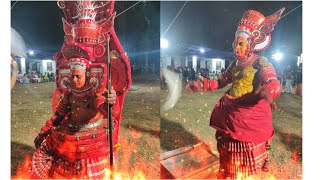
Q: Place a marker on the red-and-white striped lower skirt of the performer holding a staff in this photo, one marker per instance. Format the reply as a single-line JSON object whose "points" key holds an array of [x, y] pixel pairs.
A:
{"points": [[46, 164]]}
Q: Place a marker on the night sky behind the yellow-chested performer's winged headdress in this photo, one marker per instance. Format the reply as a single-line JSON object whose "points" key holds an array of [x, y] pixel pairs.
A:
{"points": [[213, 24]]}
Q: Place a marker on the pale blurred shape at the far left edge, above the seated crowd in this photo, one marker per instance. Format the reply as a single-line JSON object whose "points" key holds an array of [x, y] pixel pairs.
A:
{"points": [[17, 44]]}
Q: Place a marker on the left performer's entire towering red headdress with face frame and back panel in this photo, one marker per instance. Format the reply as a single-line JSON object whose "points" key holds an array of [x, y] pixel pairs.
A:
{"points": [[88, 26]]}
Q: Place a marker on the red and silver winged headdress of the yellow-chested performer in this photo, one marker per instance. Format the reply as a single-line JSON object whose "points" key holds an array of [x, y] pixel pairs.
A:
{"points": [[257, 28]]}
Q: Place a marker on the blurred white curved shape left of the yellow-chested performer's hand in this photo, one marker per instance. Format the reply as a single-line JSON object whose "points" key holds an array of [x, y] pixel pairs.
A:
{"points": [[174, 85]]}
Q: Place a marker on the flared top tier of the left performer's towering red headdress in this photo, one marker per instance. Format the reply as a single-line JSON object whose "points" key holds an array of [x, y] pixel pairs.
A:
{"points": [[86, 20]]}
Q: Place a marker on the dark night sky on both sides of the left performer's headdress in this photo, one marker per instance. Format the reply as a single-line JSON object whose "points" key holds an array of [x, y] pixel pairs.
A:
{"points": [[40, 24]]}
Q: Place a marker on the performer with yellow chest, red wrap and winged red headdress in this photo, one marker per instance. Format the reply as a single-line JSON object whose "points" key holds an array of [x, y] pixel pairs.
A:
{"points": [[243, 116]]}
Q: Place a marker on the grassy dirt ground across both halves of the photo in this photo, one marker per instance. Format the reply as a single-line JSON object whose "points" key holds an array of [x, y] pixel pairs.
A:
{"points": [[186, 124]]}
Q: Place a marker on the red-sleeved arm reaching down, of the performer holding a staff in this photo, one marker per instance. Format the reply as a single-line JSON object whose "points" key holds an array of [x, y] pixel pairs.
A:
{"points": [[62, 109]]}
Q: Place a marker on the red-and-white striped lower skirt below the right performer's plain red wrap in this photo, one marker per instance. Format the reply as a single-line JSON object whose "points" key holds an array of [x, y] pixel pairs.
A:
{"points": [[240, 159]]}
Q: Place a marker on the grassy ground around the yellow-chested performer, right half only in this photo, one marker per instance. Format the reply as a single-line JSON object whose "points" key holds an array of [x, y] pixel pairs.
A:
{"points": [[188, 124]]}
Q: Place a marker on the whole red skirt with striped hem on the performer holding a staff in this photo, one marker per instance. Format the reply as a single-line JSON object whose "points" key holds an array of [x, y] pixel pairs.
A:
{"points": [[72, 156]]}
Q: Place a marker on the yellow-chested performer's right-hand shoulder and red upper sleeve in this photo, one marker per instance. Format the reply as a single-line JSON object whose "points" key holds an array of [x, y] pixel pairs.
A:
{"points": [[270, 88]]}
